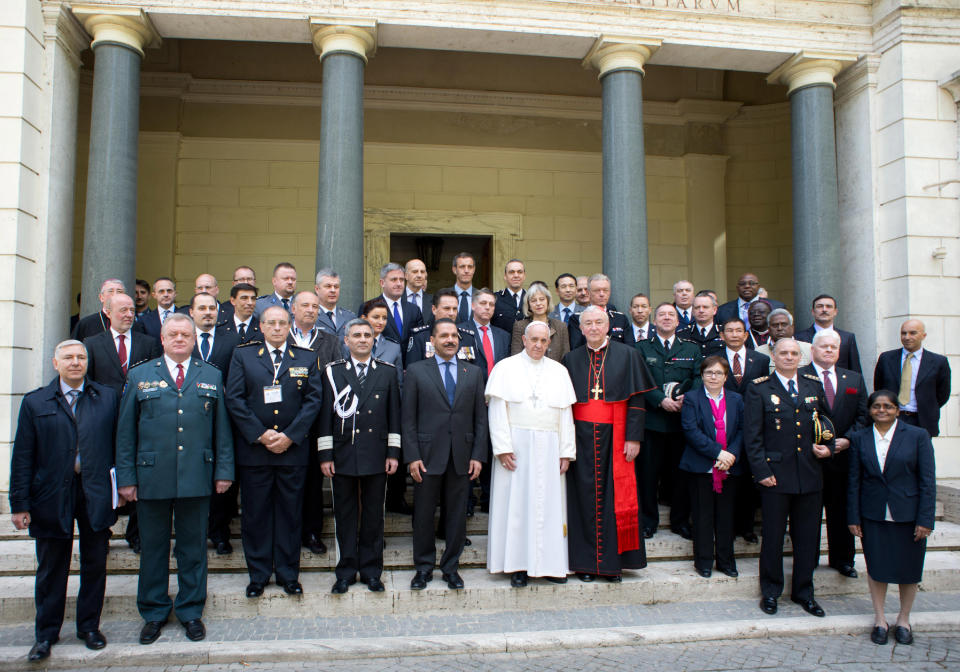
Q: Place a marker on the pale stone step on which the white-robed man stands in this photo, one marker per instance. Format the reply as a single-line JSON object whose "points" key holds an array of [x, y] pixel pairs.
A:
{"points": [[661, 582]]}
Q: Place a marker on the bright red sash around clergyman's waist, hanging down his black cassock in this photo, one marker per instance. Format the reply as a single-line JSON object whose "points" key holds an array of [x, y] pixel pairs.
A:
{"points": [[625, 506]]}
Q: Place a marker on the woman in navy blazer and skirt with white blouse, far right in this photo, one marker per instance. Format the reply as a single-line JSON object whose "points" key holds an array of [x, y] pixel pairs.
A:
{"points": [[890, 505]]}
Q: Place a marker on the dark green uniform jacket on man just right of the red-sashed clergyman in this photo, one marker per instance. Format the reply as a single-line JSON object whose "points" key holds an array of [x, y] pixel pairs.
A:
{"points": [[680, 365]]}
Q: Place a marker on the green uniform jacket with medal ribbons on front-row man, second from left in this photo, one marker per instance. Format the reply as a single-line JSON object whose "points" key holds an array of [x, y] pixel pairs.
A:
{"points": [[173, 443]]}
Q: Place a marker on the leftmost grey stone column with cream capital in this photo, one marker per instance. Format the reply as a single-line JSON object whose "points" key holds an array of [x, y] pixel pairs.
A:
{"points": [[110, 222]]}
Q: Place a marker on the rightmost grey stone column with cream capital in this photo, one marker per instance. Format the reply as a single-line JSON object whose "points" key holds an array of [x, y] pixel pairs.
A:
{"points": [[817, 255]]}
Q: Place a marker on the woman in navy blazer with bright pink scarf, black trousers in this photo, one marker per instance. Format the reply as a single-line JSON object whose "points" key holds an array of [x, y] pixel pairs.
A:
{"points": [[711, 465]]}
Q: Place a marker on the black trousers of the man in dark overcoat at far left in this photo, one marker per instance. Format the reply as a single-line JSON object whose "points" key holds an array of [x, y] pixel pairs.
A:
{"points": [[53, 569]]}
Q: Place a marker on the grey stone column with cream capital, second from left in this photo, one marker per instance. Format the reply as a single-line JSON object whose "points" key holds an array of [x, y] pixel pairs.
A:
{"points": [[343, 51]]}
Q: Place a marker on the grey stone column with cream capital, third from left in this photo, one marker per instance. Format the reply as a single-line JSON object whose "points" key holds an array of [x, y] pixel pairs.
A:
{"points": [[626, 256]]}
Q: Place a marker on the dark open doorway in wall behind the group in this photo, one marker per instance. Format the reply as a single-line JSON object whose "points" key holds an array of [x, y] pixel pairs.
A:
{"points": [[437, 252]]}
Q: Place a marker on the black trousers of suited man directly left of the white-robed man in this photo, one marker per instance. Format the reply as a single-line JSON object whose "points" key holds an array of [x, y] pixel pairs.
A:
{"points": [[455, 489]]}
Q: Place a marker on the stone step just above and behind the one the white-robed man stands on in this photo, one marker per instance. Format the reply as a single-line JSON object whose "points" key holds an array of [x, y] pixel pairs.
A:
{"points": [[17, 557]]}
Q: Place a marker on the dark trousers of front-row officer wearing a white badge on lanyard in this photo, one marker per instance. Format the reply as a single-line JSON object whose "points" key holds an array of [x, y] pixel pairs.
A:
{"points": [[272, 499]]}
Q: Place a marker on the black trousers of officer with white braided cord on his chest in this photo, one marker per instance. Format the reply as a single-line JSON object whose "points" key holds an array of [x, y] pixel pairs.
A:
{"points": [[358, 514]]}
